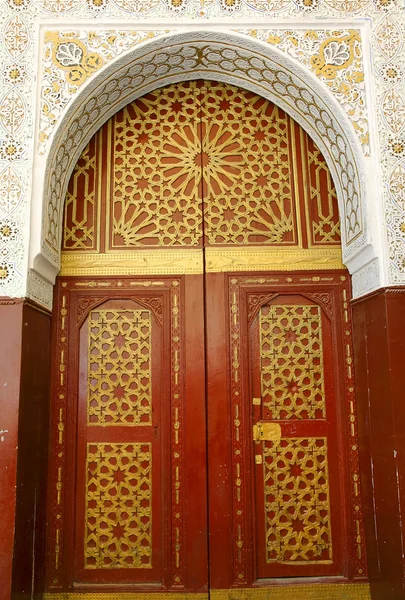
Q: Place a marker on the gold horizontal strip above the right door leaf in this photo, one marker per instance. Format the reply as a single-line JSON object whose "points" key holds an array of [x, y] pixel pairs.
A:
{"points": [[258, 258]]}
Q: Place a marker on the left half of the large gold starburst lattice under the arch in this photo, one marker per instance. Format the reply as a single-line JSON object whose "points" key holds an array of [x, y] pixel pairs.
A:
{"points": [[154, 197]]}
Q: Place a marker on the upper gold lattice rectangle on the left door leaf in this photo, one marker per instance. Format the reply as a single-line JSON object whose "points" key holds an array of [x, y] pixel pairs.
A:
{"points": [[119, 368]]}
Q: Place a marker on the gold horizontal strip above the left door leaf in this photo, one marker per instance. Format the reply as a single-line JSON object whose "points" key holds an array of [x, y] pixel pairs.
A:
{"points": [[137, 262]]}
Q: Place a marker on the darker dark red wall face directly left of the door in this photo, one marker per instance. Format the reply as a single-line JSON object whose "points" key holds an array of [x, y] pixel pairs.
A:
{"points": [[33, 425]]}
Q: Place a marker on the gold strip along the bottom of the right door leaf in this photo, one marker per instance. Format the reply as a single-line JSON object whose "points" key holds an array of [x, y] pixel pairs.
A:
{"points": [[316, 591]]}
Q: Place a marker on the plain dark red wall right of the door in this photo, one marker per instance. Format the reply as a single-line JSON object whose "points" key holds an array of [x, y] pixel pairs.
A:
{"points": [[379, 346]]}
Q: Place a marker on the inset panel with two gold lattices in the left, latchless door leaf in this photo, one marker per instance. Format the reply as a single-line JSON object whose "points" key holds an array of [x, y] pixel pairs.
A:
{"points": [[120, 446]]}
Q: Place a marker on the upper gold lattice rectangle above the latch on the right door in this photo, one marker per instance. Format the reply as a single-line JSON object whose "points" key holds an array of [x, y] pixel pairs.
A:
{"points": [[291, 355]]}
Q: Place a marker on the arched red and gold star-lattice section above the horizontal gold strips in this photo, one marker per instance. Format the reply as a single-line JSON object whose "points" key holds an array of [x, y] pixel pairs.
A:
{"points": [[199, 150]]}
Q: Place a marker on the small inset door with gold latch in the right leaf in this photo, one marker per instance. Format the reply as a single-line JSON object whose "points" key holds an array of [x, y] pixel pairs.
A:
{"points": [[296, 479]]}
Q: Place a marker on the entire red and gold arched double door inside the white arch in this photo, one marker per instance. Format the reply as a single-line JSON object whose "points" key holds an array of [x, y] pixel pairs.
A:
{"points": [[203, 336]]}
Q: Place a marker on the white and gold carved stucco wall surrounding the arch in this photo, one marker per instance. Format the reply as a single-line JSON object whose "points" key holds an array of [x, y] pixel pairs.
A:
{"points": [[21, 61]]}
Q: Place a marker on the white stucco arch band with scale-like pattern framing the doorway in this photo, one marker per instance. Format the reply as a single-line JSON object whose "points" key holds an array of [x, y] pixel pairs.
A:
{"points": [[206, 54]]}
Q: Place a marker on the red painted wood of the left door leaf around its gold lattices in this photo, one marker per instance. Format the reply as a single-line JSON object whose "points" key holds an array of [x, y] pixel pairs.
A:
{"points": [[179, 533]]}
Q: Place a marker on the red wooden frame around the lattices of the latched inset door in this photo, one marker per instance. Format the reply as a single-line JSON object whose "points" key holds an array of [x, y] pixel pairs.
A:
{"points": [[300, 428]]}
